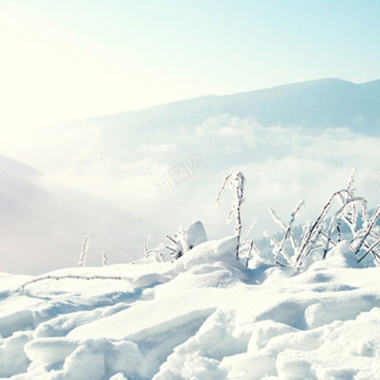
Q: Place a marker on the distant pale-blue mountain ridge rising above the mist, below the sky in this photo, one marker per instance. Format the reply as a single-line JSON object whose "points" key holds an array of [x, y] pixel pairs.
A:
{"points": [[324, 103]]}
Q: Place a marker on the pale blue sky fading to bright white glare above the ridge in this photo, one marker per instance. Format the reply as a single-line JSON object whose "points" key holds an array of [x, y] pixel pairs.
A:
{"points": [[64, 60]]}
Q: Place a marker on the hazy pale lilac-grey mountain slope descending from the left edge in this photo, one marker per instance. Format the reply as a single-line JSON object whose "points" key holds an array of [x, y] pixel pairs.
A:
{"points": [[42, 227]]}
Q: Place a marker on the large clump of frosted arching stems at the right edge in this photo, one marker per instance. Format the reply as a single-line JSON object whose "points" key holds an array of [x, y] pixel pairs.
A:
{"points": [[326, 231]]}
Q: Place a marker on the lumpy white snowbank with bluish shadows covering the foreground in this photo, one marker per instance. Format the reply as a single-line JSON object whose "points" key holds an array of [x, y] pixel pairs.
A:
{"points": [[203, 316]]}
